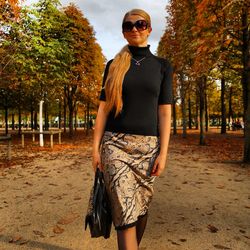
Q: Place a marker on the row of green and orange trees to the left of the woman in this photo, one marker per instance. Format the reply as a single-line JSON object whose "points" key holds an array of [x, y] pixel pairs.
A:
{"points": [[47, 53]]}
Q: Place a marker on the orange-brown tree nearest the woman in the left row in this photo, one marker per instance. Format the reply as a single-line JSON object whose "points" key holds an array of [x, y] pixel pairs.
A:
{"points": [[85, 65]]}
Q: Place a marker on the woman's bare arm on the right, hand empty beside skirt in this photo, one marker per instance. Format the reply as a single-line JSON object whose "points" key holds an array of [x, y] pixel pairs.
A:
{"points": [[164, 129]]}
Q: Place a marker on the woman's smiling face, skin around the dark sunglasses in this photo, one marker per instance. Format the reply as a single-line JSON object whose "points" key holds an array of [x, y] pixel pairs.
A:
{"points": [[136, 37]]}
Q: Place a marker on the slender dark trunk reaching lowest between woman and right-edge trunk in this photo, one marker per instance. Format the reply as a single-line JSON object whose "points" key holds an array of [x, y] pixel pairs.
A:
{"points": [[202, 85]]}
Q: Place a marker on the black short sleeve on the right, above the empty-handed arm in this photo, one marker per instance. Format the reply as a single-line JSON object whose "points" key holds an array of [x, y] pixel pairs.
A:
{"points": [[166, 93]]}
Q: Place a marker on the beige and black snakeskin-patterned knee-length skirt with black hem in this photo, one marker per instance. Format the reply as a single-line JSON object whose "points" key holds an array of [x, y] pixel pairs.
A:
{"points": [[128, 160]]}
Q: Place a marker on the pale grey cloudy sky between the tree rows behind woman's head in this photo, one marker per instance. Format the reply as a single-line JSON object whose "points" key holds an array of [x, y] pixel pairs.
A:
{"points": [[106, 17]]}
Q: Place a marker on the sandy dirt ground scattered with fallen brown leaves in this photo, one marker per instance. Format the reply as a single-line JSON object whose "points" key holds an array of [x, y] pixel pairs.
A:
{"points": [[201, 202]]}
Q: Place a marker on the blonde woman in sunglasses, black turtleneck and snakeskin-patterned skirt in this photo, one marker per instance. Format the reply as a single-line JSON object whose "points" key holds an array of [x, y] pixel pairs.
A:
{"points": [[133, 128]]}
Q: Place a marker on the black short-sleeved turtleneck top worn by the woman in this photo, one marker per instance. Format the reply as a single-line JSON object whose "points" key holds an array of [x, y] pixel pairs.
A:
{"points": [[145, 86]]}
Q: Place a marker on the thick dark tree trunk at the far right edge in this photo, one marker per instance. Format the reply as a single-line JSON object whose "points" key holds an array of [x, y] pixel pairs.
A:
{"points": [[246, 81]]}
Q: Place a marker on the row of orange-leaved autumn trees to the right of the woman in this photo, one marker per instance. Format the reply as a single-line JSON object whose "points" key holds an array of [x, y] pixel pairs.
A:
{"points": [[208, 42]]}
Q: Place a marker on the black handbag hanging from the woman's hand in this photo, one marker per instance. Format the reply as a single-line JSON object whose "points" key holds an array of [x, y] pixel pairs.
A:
{"points": [[98, 215]]}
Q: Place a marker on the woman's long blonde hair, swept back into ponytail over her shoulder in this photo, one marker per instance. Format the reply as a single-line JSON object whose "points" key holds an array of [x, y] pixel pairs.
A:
{"points": [[118, 69]]}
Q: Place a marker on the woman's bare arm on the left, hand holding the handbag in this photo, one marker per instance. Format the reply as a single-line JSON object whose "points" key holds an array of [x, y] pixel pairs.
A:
{"points": [[100, 124]]}
